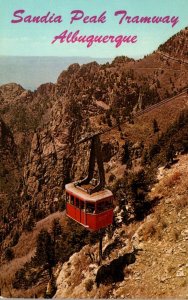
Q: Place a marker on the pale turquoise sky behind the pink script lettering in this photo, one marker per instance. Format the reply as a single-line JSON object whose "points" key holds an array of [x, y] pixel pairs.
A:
{"points": [[25, 39]]}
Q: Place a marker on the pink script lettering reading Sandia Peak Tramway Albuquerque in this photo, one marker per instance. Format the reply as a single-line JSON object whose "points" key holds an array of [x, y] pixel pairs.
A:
{"points": [[81, 18]]}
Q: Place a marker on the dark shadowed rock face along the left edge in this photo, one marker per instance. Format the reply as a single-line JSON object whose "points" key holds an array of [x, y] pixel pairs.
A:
{"points": [[10, 181]]}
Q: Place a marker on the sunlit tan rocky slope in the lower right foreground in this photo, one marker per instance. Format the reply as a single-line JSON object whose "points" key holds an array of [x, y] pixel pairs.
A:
{"points": [[159, 268]]}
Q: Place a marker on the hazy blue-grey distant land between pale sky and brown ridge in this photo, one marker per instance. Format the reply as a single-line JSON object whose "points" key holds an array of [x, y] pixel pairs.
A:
{"points": [[30, 72]]}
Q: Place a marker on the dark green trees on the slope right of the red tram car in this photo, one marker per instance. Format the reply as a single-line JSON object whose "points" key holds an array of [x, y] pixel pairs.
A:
{"points": [[134, 187]]}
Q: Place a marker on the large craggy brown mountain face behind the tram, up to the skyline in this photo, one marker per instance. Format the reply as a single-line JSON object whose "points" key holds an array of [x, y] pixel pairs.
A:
{"points": [[47, 123]]}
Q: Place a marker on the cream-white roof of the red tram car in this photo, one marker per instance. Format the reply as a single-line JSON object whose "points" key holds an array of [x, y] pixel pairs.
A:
{"points": [[82, 194]]}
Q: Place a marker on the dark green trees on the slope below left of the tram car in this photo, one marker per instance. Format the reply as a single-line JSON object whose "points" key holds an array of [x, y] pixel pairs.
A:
{"points": [[53, 247]]}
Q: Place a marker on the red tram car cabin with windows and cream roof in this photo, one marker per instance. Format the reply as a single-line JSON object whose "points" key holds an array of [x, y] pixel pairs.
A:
{"points": [[93, 211]]}
